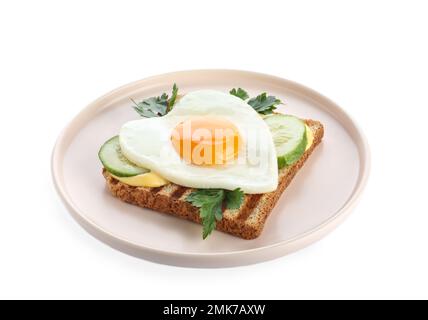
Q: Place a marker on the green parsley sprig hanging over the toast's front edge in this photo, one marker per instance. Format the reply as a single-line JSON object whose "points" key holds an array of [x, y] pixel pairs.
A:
{"points": [[210, 202]]}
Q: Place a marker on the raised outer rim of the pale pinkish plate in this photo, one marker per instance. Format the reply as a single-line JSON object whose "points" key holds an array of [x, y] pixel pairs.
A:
{"points": [[290, 245]]}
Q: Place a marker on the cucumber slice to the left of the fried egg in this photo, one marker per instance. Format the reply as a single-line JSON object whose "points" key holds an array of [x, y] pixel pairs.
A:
{"points": [[115, 162]]}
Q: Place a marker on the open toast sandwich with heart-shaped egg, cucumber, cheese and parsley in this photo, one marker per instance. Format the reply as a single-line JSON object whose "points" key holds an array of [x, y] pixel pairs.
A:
{"points": [[220, 159]]}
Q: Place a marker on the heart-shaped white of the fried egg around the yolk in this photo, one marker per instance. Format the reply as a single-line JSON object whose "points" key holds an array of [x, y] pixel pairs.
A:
{"points": [[147, 143]]}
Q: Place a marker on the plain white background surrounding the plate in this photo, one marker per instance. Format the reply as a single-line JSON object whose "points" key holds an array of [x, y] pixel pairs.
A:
{"points": [[371, 57]]}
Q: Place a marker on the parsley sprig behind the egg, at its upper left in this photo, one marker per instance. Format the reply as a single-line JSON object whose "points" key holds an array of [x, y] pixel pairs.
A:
{"points": [[156, 106]]}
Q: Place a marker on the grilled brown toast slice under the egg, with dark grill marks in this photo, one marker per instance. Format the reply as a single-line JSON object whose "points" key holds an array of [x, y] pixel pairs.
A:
{"points": [[246, 222]]}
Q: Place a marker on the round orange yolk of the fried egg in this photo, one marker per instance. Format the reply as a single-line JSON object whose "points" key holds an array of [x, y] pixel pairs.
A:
{"points": [[206, 141]]}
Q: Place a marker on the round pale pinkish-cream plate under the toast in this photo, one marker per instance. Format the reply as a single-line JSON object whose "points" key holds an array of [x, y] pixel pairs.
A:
{"points": [[318, 199]]}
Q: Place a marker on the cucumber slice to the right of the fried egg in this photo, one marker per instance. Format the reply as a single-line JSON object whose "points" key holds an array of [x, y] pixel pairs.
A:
{"points": [[289, 137]]}
